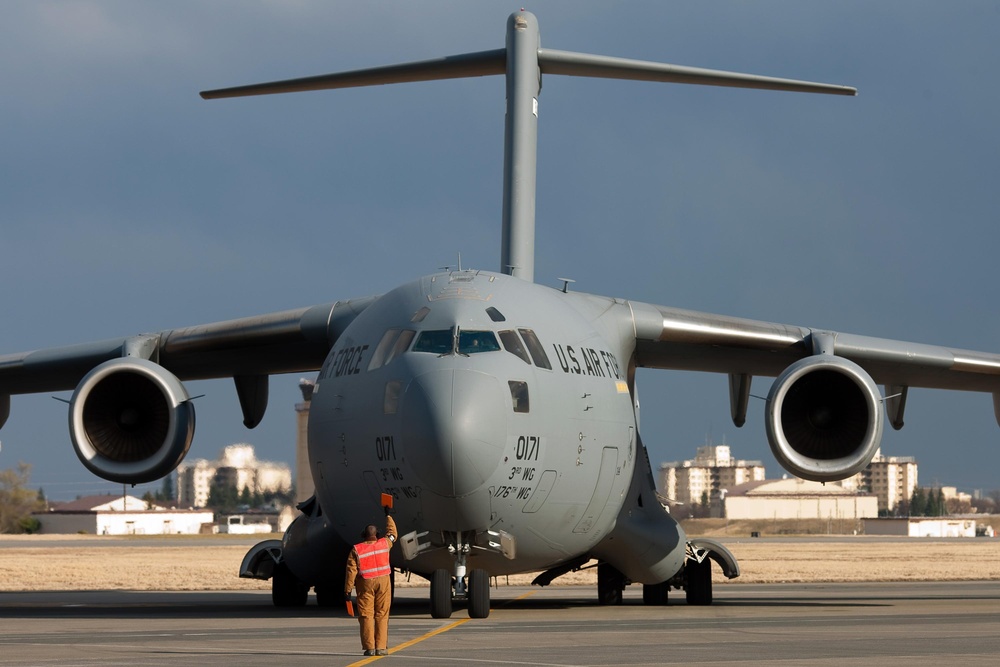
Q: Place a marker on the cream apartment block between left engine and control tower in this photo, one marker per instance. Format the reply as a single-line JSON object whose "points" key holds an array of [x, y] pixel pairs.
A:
{"points": [[237, 466]]}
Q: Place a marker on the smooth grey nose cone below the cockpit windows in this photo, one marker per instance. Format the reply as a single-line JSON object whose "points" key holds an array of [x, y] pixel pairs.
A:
{"points": [[454, 429]]}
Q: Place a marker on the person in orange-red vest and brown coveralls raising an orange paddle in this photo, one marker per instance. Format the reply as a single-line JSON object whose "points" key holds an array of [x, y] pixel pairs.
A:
{"points": [[368, 571]]}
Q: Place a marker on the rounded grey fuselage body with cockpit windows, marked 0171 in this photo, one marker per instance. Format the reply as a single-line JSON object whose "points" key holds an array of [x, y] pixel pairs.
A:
{"points": [[481, 402]]}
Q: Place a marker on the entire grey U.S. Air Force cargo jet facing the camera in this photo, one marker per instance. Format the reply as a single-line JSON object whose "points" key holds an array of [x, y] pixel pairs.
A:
{"points": [[500, 414]]}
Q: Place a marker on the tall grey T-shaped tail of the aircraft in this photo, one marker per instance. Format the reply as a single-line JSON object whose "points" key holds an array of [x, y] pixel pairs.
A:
{"points": [[523, 61]]}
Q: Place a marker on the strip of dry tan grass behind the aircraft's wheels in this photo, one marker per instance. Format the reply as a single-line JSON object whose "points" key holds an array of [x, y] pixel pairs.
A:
{"points": [[31, 563]]}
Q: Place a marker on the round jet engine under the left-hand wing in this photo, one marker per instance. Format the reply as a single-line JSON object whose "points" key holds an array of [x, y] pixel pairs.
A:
{"points": [[131, 421]]}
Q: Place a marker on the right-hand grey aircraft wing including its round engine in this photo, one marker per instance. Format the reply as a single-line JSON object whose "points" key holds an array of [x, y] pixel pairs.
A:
{"points": [[824, 411]]}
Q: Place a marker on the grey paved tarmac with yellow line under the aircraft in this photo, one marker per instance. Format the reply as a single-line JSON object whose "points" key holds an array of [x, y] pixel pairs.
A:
{"points": [[912, 624]]}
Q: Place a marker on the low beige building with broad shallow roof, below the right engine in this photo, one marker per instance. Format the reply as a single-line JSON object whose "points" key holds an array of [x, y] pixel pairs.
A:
{"points": [[795, 498]]}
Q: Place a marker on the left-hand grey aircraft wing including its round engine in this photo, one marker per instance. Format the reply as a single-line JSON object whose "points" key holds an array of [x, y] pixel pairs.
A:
{"points": [[131, 418]]}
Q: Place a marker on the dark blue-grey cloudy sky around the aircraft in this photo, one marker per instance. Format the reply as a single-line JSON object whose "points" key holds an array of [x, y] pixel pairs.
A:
{"points": [[129, 204]]}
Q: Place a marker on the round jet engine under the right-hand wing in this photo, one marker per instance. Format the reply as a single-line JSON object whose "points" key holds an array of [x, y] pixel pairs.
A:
{"points": [[824, 418]]}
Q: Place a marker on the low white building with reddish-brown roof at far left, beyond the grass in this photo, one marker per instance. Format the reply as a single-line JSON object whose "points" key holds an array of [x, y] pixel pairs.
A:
{"points": [[121, 515]]}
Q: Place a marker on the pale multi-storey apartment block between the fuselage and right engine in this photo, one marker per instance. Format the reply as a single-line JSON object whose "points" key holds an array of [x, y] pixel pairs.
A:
{"points": [[711, 471]]}
